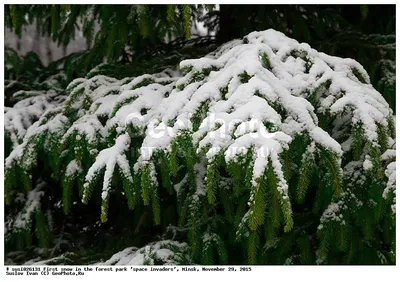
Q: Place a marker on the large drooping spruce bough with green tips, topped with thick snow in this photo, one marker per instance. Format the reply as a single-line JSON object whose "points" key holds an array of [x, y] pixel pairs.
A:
{"points": [[266, 112]]}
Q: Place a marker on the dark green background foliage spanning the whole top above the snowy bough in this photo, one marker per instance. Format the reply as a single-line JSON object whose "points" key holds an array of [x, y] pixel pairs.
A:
{"points": [[127, 32]]}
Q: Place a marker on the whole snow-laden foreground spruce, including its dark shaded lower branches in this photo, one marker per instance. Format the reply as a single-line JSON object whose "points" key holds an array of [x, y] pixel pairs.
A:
{"points": [[264, 151]]}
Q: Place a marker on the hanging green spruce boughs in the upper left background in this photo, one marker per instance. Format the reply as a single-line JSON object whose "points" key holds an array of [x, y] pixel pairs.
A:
{"points": [[123, 29]]}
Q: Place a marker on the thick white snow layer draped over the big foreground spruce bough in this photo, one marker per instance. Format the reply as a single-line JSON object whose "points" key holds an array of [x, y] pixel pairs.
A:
{"points": [[243, 85]]}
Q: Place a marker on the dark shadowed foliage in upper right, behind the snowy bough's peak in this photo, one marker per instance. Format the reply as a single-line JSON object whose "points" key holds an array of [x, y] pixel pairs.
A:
{"points": [[365, 33]]}
